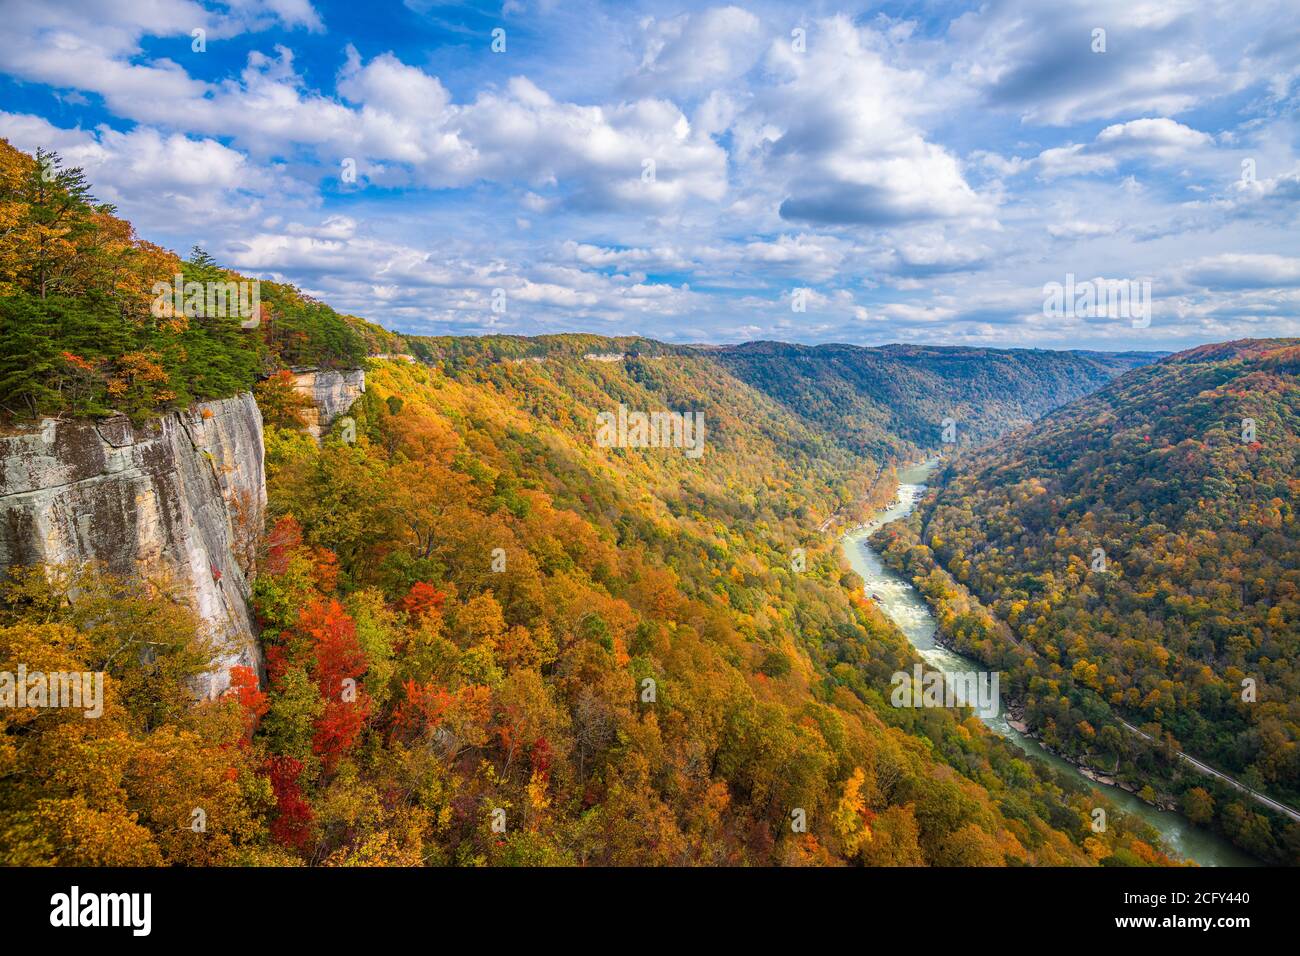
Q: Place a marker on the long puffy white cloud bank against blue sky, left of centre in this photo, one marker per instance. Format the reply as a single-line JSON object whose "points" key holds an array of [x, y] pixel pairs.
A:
{"points": [[402, 128]]}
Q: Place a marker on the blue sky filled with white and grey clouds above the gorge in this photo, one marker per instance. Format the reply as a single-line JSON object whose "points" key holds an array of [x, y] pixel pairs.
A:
{"points": [[866, 174]]}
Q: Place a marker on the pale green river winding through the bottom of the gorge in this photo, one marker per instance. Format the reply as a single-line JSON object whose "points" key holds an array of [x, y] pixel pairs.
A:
{"points": [[908, 609]]}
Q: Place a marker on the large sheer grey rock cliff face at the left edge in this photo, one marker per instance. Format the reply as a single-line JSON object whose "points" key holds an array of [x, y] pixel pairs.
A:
{"points": [[181, 498]]}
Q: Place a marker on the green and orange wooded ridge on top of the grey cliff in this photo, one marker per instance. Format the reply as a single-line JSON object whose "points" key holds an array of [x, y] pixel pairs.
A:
{"points": [[80, 328]]}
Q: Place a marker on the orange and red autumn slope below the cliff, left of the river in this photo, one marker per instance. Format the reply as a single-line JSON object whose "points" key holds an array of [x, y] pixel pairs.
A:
{"points": [[514, 681]]}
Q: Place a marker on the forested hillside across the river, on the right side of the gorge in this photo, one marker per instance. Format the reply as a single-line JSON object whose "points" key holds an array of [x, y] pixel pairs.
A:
{"points": [[1138, 557]]}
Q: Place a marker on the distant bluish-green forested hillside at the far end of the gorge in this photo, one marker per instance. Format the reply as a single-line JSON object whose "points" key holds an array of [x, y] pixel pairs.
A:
{"points": [[895, 400]]}
